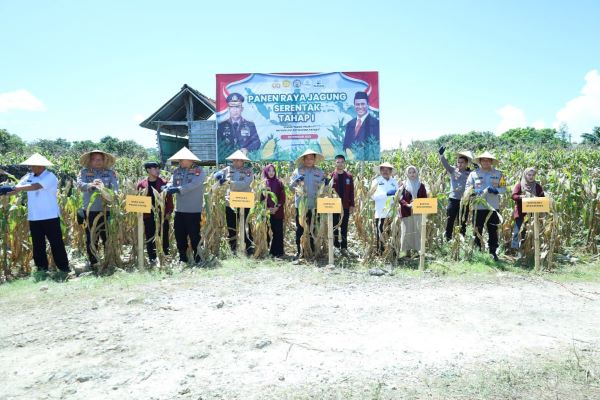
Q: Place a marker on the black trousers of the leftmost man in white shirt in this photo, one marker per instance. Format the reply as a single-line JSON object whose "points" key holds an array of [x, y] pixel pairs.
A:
{"points": [[48, 229]]}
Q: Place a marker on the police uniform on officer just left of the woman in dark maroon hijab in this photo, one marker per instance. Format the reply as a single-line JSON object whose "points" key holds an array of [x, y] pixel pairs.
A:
{"points": [[239, 181]]}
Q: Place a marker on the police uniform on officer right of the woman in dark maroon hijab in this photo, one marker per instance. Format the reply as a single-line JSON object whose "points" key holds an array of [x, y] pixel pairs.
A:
{"points": [[313, 178]]}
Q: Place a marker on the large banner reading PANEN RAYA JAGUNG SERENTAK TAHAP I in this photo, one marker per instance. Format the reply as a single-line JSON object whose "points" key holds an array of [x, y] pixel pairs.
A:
{"points": [[276, 117]]}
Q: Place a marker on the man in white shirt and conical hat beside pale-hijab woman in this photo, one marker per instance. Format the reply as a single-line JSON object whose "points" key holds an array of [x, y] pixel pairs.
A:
{"points": [[383, 190]]}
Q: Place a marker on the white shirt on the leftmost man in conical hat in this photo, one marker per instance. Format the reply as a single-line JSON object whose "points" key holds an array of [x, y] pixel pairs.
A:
{"points": [[42, 203]]}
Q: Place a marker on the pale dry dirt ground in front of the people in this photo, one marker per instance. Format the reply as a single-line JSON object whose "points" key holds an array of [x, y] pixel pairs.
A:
{"points": [[299, 332]]}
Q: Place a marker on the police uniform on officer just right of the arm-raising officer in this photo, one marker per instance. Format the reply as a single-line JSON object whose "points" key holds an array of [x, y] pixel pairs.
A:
{"points": [[480, 180]]}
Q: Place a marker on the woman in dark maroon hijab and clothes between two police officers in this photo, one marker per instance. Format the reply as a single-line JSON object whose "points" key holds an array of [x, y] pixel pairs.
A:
{"points": [[275, 206]]}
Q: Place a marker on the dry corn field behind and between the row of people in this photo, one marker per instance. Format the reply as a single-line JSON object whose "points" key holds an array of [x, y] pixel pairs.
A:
{"points": [[570, 177]]}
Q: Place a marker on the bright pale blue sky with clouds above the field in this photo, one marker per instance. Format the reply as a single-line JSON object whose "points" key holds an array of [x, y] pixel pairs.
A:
{"points": [[83, 70]]}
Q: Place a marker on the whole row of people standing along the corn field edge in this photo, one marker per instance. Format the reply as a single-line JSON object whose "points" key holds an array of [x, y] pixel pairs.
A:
{"points": [[479, 188]]}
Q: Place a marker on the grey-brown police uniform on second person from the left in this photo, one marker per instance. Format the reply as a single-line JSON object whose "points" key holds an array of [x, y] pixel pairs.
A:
{"points": [[97, 207]]}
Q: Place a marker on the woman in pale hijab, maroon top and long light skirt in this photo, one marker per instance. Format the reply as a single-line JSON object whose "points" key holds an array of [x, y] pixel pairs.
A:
{"points": [[412, 188]]}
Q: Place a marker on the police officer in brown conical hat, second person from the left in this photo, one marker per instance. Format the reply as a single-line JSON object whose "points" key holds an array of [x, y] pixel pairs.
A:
{"points": [[96, 176]]}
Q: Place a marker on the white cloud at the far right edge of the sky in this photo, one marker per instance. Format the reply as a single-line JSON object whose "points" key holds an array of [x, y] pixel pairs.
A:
{"points": [[582, 113]]}
